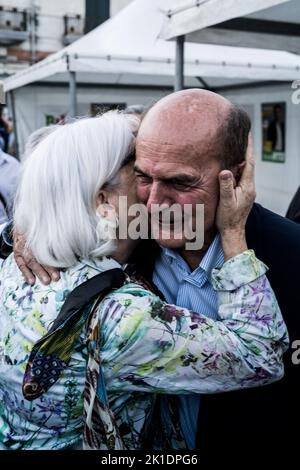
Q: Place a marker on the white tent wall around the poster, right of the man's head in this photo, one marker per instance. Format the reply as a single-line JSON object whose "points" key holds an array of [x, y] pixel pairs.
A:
{"points": [[276, 182]]}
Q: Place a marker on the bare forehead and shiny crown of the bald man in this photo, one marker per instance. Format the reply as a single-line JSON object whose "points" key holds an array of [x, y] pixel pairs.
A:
{"points": [[185, 126]]}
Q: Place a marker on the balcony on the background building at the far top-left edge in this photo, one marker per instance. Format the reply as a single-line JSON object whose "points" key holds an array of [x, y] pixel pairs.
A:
{"points": [[13, 26]]}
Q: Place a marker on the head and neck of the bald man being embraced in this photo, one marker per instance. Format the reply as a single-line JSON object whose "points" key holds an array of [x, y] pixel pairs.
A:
{"points": [[181, 148]]}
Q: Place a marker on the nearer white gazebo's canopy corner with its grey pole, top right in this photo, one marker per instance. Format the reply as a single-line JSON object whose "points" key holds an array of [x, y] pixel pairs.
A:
{"points": [[267, 24]]}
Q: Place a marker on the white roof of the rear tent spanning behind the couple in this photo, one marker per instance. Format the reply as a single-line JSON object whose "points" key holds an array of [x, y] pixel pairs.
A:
{"points": [[128, 43]]}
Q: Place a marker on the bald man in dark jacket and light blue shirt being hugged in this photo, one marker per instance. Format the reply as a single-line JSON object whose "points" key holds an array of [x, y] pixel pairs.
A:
{"points": [[184, 141]]}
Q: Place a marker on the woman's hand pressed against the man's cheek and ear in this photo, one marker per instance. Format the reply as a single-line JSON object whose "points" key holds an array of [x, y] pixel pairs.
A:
{"points": [[236, 201]]}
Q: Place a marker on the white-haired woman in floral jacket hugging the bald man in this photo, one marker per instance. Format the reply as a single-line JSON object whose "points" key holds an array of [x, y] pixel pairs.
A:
{"points": [[129, 343]]}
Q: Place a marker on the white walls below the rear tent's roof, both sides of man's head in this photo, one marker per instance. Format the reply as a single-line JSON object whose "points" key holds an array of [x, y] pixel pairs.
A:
{"points": [[276, 182]]}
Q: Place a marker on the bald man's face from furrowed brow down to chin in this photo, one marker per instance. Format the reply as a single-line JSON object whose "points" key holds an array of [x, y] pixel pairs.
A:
{"points": [[168, 174]]}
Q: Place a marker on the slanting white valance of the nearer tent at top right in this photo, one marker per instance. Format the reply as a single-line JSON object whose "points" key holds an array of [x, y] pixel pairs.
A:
{"points": [[187, 16]]}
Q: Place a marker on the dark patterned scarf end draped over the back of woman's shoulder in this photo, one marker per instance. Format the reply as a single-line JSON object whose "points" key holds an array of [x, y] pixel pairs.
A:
{"points": [[51, 354]]}
